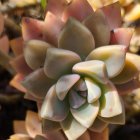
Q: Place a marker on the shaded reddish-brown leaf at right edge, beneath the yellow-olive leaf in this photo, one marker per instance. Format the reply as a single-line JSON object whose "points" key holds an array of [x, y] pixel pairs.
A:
{"points": [[128, 87]]}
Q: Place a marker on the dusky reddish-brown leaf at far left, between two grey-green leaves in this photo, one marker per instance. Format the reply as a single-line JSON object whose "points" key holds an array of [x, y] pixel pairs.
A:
{"points": [[20, 66]]}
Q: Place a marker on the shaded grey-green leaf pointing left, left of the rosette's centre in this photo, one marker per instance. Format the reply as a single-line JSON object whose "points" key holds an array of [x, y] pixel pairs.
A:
{"points": [[37, 83]]}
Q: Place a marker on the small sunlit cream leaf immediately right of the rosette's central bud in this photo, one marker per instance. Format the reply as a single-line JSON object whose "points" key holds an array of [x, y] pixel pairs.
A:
{"points": [[94, 91]]}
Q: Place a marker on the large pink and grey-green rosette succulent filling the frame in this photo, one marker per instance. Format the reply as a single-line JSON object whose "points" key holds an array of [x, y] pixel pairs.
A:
{"points": [[75, 64]]}
